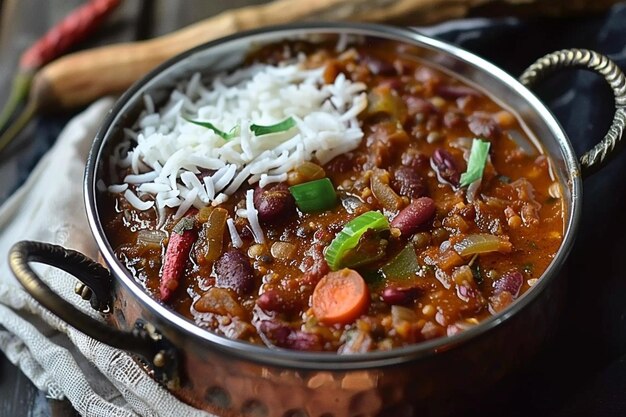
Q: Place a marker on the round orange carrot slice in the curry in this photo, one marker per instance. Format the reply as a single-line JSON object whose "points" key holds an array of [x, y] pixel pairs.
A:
{"points": [[340, 297]]}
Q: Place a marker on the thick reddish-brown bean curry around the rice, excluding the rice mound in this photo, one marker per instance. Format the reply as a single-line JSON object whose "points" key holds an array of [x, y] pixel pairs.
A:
{"points": [[419, 128]]}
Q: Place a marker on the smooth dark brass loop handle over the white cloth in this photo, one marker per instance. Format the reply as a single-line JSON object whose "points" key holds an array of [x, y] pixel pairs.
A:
{"points": [[151, 346]]}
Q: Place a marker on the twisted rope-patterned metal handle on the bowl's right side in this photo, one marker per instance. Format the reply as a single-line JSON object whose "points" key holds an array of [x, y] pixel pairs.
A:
{"points": [[596, 157]]}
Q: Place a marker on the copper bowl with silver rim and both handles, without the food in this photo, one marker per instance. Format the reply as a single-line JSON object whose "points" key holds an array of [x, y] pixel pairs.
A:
{"points": [[234, 378]]}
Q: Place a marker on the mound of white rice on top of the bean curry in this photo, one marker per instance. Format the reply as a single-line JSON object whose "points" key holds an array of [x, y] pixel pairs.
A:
{"points": [[166, 152]]}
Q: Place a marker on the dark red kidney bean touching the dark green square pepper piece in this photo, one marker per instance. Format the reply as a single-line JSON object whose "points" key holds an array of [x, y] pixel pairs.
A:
{"points": [[274, 204]]}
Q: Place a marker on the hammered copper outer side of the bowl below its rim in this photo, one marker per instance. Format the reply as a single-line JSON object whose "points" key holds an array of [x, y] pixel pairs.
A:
{"points": [[445, 383]]}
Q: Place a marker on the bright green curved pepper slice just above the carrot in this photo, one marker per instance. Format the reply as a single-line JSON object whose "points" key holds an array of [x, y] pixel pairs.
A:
{"points": [[348, 238]]}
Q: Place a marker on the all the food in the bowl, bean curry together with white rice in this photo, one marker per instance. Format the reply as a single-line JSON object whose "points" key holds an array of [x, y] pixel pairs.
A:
{"points": [[385, 204]]}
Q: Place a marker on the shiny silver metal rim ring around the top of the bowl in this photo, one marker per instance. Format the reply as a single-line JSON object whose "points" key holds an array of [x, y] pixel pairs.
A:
{"points": [[331, 360]]}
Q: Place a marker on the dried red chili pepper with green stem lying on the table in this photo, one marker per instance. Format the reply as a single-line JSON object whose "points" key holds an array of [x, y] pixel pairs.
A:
{"points": [[74, 28]]}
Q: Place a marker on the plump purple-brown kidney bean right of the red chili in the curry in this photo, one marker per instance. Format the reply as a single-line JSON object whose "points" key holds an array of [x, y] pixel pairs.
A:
{"points": [[233, 271]]}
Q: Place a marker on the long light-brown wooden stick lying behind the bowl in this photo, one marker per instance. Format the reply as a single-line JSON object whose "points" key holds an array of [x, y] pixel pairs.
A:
{"points": [[79, 78]]}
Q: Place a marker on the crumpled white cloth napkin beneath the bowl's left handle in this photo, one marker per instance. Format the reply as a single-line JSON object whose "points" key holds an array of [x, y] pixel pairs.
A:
{"points": [[98, 380]]}
